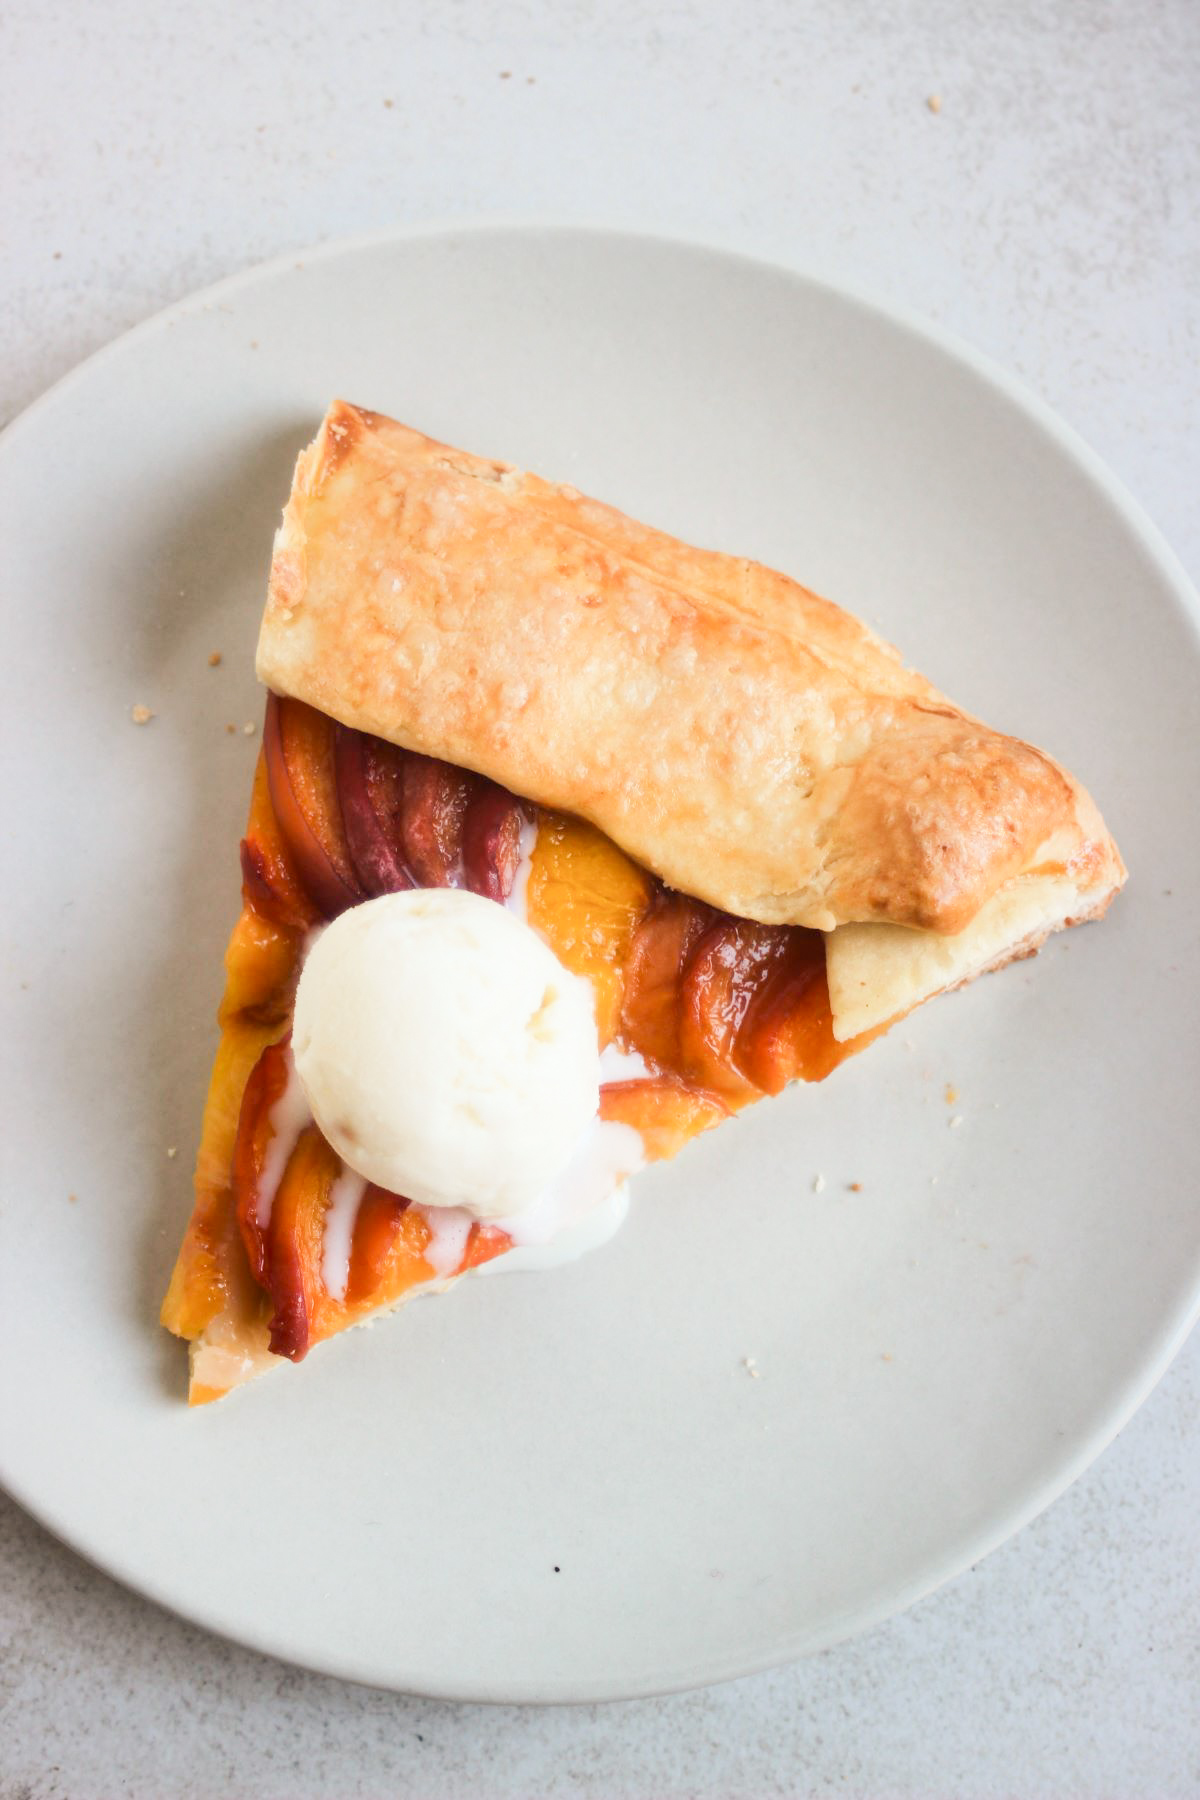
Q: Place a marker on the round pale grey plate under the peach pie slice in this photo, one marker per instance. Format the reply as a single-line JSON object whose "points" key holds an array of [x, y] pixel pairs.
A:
{"points": [[569, 1488]]}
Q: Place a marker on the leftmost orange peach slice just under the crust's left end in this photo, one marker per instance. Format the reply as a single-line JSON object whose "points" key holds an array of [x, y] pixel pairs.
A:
{"points": [[298, 746]]}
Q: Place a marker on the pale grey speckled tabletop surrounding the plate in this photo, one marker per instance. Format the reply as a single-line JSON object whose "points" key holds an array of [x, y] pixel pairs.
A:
{"points": [[1052, 213]]}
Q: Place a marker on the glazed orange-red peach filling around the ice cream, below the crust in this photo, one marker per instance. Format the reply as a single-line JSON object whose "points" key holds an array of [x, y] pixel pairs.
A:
{"points": [[699, 1014]]}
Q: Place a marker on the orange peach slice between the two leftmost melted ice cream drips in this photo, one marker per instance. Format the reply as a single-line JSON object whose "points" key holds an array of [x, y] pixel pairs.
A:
{"points": [[296, 1245]]}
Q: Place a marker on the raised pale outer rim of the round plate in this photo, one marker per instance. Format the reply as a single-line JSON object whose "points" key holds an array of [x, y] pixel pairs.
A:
{"points": [[971, 1547]]}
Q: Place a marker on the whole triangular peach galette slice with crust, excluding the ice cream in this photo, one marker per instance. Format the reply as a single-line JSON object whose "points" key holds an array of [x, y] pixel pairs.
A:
{"points": [[715, 795]]}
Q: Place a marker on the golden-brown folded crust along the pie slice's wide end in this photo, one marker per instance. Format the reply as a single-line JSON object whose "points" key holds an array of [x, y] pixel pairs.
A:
{"points": [[744, 739]]}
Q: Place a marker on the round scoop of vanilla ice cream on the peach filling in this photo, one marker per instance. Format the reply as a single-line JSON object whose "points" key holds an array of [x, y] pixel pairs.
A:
{"points": [[445, 1050]]}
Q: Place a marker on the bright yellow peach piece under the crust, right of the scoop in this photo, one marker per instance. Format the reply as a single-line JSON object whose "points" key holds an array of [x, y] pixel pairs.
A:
{"points": [[587, 899]]}
